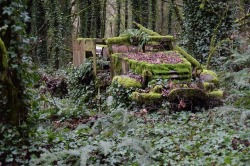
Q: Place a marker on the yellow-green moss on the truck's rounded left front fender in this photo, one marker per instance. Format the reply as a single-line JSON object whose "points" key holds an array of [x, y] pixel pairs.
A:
{"points": [[127, 82]]}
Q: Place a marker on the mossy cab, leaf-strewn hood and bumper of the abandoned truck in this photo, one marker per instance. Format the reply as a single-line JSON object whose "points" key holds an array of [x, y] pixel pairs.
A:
{"points": [[159, 70]]}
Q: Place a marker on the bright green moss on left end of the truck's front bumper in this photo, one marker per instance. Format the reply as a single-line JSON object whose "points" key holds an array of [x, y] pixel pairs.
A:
{"points": [[146, 97]]}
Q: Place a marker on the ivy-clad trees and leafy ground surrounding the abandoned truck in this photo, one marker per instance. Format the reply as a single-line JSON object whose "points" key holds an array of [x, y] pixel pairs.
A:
{"points": [[52, 114]]}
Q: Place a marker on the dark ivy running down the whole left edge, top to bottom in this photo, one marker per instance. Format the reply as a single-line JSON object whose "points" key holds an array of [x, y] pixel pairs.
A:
{"points": [[17, 78]]}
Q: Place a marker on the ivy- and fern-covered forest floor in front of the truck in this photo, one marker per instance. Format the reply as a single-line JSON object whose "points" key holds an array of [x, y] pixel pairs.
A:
{"points": [[67, 133]]}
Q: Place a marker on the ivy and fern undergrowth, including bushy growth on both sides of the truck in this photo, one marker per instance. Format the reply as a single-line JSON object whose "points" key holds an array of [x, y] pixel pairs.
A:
{"points": [[88, 126]]}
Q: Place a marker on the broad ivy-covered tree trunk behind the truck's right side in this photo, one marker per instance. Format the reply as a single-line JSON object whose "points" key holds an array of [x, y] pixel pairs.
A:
{"points": [[206, 25]]}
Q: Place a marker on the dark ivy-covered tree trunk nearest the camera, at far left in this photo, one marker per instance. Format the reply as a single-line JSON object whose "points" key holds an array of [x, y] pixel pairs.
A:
{"points": [[13, 100]]}
